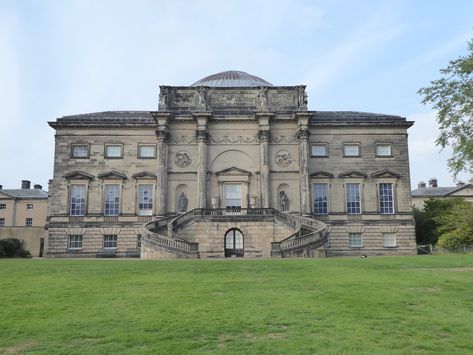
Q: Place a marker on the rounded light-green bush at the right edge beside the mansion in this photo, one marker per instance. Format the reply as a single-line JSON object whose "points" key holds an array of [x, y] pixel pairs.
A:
{"points": [[456, 226]]}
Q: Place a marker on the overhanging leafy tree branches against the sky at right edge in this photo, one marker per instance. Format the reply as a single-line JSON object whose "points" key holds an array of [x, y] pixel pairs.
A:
{"points": [[452, 97]]}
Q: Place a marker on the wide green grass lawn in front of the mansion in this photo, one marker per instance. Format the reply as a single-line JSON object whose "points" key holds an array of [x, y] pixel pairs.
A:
{"points": [[420, 304]]}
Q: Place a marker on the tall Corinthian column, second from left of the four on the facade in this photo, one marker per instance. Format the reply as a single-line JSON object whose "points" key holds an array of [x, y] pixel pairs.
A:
{"points": [[202, 136]]}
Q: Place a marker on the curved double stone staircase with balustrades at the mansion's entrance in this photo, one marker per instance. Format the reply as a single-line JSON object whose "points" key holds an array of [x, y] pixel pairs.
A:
{"points": [[161, 237]]}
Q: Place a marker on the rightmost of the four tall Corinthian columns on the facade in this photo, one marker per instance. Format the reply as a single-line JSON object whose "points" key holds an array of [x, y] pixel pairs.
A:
{"points": [[303, 134]]}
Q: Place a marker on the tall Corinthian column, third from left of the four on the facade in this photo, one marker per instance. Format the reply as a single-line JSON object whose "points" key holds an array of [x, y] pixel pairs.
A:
{"points": [[263, 138]]}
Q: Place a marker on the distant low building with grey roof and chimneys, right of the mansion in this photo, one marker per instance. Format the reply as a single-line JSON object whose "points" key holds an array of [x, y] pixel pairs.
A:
{"points": [[424, 192]]}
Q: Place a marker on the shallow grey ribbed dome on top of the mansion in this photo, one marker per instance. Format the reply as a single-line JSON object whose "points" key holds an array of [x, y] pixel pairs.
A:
{"points": [[232, 78]]}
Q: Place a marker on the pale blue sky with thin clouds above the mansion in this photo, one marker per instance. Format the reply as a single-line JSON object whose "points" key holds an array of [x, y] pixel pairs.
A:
{"points": [[68, 57]]}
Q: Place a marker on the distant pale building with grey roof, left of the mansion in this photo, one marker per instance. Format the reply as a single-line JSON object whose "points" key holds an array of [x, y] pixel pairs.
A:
{"points": [[23, 215]]}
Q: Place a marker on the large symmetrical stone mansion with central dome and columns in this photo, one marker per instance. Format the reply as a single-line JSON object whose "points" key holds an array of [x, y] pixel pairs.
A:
{"points": [[230, 166]]}
